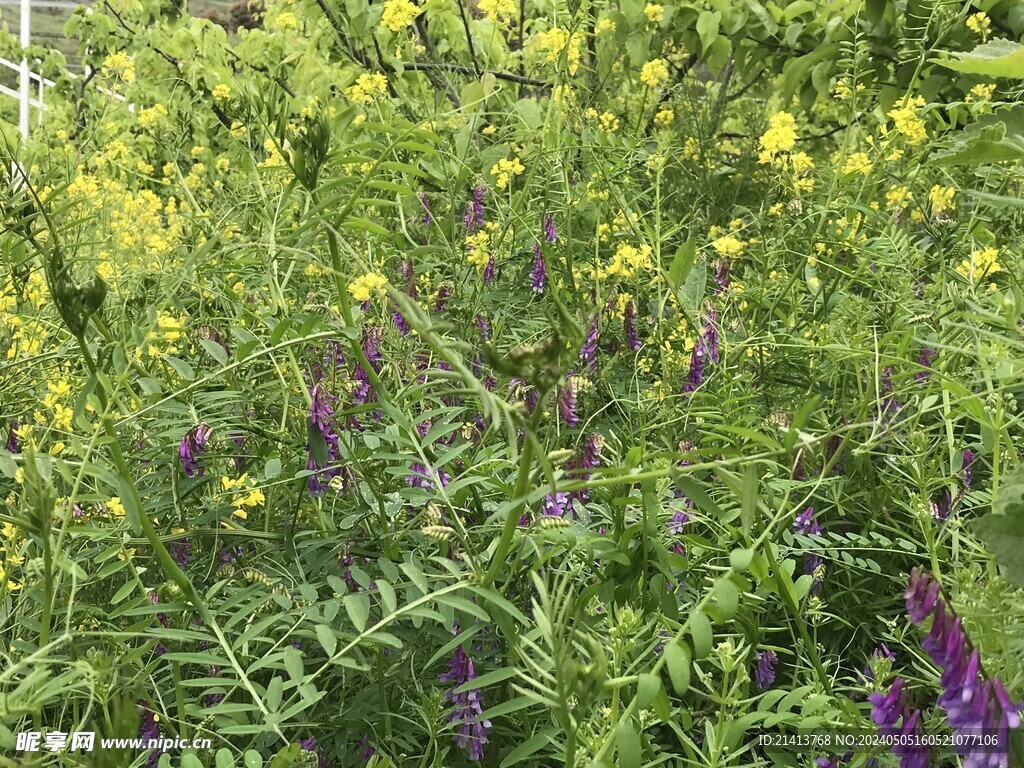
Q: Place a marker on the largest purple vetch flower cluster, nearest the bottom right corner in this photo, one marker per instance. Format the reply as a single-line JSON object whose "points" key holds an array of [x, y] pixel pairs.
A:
{"points": [[974, 704]]}
